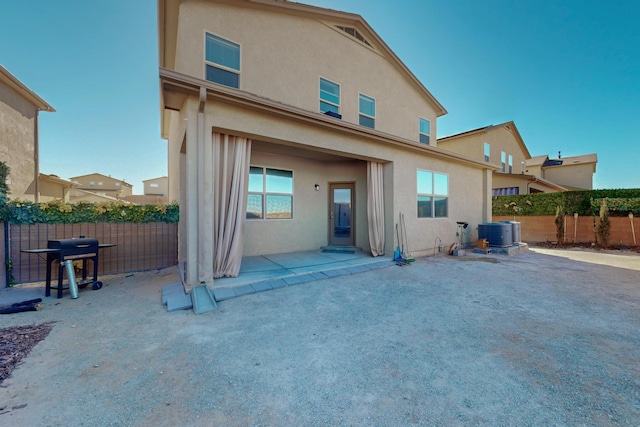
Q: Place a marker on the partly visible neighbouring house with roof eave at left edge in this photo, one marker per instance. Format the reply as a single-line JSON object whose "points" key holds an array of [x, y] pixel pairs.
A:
{"points": [[19, 141]]}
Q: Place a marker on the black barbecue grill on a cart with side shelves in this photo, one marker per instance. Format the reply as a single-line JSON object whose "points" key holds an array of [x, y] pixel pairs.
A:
{"points": [[62, 250]]}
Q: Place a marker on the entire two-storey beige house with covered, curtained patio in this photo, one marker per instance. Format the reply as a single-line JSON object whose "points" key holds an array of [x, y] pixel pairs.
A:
{"points": [[291, 128]]}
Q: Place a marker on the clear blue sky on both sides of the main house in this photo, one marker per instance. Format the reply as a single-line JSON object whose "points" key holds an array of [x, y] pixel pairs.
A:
{"points": [[567, 72]]}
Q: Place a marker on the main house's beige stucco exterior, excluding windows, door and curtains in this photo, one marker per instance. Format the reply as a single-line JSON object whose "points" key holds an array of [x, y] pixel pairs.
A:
{"points": [[285, 49]]}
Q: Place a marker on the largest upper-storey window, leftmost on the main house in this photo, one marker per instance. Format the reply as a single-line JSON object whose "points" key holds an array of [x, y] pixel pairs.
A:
{"points": [[222, 61]]}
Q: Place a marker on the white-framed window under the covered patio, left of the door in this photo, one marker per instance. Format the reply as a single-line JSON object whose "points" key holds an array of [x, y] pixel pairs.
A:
{"points": [[270, 193]]}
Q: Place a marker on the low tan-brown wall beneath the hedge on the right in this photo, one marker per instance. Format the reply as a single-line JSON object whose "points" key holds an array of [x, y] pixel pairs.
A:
{"points": [[543, 229]]}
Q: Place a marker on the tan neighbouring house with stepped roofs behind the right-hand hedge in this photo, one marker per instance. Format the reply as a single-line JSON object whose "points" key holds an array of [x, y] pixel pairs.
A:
{"points": [[517, 171]]}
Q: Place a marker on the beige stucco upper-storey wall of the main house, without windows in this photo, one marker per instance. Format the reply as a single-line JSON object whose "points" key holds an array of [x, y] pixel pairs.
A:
{"points": [[283, 57]]}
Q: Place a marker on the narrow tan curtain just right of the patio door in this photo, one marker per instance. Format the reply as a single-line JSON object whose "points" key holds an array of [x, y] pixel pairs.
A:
{"points": [[375, 207]]}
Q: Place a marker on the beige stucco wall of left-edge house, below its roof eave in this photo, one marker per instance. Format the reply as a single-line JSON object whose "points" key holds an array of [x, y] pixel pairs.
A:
{"points": [[17, 142]]}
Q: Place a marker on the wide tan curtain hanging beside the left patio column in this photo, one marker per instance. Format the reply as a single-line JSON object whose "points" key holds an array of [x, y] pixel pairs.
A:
{"points": [[231, 157]]}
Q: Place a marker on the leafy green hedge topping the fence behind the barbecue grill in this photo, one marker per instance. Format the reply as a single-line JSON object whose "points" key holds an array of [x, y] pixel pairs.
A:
{"points": [[57, 212]]}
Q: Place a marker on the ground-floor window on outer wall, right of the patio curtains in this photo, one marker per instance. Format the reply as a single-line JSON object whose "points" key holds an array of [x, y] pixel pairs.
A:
{"points": [[433, 194]]}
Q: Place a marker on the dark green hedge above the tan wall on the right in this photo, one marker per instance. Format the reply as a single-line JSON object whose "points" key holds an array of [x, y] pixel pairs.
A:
{"points": [[619, 201]]}
